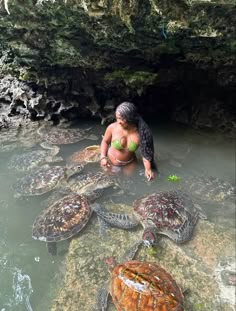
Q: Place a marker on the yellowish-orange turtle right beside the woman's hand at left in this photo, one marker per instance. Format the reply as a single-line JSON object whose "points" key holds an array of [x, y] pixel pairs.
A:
{"points": [[87, 155]]}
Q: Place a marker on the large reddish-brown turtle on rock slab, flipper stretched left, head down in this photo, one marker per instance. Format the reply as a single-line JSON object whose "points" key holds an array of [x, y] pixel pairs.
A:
{"points": [[171, 213]]}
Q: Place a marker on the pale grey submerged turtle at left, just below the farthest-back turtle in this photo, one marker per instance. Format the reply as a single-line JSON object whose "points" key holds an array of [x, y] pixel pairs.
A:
{"points": [[32, 159]]}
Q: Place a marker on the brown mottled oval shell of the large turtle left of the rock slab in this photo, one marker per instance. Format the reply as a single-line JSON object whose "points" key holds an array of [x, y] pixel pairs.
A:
{"points": [[63, 219]]}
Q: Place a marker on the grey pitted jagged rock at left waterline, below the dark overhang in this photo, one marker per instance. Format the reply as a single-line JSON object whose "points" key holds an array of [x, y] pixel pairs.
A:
{"points": [[22, 101]]}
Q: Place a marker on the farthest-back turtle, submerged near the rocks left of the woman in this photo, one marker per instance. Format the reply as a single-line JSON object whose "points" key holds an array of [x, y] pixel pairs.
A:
{"points": [[61, 136]]}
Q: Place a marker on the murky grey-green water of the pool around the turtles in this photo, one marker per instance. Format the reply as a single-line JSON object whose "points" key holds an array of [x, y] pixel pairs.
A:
{"points": [[29, 275]]}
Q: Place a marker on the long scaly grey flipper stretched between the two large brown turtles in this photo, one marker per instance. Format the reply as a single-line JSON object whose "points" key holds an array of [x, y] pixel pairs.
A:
{"points": [[122, 221]]}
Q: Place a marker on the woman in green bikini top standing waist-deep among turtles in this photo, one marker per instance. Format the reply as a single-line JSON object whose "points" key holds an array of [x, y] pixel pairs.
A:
{"points": [[123, 137]]}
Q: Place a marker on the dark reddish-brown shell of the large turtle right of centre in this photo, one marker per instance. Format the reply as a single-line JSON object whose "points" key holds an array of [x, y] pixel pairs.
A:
{"points": [[170, 212]]}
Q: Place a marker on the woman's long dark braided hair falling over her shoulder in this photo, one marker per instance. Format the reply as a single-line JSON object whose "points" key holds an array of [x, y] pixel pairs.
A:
{"points": [[129, 112]]}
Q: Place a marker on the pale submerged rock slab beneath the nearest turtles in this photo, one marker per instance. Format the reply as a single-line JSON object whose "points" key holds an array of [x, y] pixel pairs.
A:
{"points": [[196, 266]]}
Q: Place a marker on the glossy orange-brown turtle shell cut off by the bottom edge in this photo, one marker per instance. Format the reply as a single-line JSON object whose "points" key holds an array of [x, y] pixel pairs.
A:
{"points": [[139, 286]]}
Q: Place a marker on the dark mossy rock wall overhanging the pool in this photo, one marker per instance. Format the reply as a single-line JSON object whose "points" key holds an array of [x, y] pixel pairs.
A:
{"points": [[177, 57]]}
